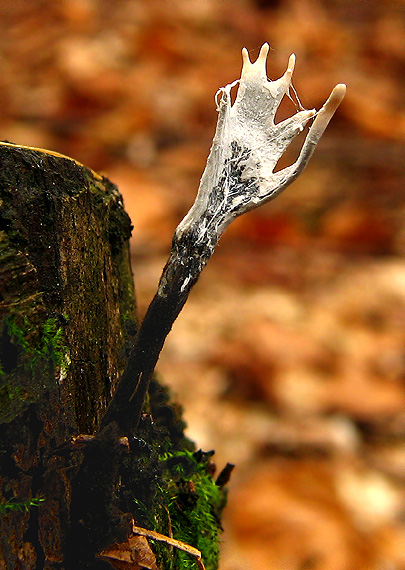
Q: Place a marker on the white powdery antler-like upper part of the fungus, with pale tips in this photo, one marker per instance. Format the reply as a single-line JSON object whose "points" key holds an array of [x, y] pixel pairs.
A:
{"points": [[239, 175]]}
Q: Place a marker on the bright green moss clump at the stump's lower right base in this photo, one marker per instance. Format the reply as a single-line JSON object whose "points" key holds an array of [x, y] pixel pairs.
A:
{"points": [[188, 504]]}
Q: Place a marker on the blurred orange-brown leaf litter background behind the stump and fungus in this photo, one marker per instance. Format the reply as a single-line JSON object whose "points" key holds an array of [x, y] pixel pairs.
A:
{"points": [[289, 356]]}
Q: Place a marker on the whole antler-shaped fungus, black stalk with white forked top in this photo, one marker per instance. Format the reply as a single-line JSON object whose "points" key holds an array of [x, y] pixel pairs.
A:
{"points": [[239, 177]]}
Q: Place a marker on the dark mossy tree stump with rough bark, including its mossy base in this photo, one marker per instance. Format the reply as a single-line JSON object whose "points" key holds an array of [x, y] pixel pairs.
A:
{"points": [[67, 326]]}
